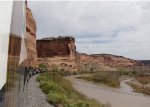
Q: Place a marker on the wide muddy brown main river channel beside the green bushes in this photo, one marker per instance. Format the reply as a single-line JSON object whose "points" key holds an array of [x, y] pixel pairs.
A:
{"points": [[120, 98]]}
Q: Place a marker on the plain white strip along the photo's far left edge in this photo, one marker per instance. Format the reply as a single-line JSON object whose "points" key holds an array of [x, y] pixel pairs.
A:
{"points": [[5, 19]]}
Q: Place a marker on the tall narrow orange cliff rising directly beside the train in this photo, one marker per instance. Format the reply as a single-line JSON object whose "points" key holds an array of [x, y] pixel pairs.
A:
{"points": [[31, 38]]}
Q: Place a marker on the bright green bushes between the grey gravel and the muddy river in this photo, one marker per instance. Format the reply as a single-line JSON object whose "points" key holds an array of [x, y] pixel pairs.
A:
{"points": [[60, 92]]}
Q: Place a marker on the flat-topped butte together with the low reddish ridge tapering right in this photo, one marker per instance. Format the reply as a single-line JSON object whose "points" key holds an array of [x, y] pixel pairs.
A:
{"points": [[62, 51]]}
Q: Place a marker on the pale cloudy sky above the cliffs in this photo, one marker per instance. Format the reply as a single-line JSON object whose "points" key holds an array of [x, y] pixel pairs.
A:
{"points": [[112, 27]]}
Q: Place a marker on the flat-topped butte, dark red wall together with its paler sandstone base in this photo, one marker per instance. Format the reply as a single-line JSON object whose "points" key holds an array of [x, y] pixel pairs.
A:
{"points": [[59, 51]]}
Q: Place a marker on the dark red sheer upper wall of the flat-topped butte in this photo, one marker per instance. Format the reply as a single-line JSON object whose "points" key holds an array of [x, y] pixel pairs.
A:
{"points": [[61, 46]]}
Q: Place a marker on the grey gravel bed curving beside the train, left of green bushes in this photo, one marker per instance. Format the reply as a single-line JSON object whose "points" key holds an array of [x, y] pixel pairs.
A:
{"points": [[34, 96]]}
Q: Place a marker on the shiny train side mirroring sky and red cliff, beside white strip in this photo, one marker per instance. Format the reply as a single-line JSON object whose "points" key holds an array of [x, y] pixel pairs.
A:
{"points": [[15, 83]]}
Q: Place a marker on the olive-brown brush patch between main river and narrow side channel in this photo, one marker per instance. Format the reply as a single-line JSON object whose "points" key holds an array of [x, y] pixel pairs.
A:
{"points": [[107, 78]]}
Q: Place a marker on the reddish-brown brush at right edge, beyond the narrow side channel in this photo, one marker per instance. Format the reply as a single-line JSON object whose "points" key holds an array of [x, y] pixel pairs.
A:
{"points": [[141, 75]]}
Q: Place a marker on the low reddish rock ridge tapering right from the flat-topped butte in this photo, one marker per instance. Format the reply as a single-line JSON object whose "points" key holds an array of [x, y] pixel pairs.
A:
{"points": [[109, 60]]}
